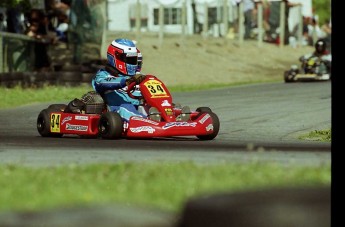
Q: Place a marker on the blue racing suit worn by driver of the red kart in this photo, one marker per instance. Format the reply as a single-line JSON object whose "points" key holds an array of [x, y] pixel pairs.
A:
{"points": [[113, 89]]}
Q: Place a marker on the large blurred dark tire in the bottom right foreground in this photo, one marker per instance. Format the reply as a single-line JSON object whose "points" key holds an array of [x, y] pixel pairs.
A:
{"points": [[276, 207]]}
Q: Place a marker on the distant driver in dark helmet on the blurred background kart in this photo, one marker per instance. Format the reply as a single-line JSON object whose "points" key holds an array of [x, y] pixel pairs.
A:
{"points": [[320, 52]]}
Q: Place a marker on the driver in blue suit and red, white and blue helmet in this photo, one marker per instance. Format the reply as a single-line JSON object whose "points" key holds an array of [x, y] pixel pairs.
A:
{"points": [[124, 62]]}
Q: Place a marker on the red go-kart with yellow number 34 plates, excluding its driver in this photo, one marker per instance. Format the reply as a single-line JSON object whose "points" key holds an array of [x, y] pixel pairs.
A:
{"points": [[92, 118]]}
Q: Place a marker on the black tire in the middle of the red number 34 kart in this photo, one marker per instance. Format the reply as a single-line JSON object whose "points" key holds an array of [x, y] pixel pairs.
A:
{"points": [[110, 125]]}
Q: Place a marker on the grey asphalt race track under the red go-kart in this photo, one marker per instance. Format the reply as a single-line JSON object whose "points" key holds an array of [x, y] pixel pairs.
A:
{"points": [[258, 122]]}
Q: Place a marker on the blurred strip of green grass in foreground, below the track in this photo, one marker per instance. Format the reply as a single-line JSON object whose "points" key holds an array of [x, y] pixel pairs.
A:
{"points": [[164, 185]]}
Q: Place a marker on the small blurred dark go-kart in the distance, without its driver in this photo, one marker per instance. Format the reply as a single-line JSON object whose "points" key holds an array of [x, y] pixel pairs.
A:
{"points": [[312, 69]]}
